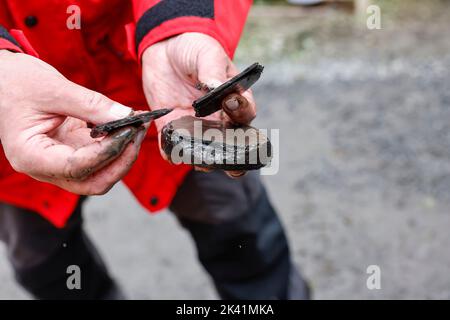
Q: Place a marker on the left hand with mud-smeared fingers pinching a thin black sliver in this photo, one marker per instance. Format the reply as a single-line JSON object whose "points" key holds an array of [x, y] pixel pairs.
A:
{"points": [[43, 128]]}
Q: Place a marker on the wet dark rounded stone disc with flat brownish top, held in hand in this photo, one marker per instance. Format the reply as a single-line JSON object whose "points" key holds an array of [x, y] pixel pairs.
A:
{"points": [[215, 144]]}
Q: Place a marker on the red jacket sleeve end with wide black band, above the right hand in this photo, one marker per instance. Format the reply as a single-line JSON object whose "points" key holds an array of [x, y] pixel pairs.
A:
{"points": [[157, 20]]}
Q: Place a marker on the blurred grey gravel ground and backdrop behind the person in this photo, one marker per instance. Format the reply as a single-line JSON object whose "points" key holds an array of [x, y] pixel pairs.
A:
{"points": [[364, 176]]}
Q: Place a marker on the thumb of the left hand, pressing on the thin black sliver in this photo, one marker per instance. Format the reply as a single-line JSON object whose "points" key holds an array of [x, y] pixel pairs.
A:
{"points": [[88, 105]]}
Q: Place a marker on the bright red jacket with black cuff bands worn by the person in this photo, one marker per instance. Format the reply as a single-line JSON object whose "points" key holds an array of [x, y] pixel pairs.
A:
{"points": [[103, 56]]}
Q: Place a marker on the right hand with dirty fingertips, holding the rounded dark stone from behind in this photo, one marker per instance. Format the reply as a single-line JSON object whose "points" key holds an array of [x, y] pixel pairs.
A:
{"points": [[172, 70]]}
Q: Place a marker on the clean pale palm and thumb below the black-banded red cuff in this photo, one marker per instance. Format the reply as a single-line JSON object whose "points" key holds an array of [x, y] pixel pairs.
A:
{"points": [[173, 70]]}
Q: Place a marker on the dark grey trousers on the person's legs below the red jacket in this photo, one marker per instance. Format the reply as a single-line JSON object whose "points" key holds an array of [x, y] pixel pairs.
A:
{"points": [[239, 239]]}
